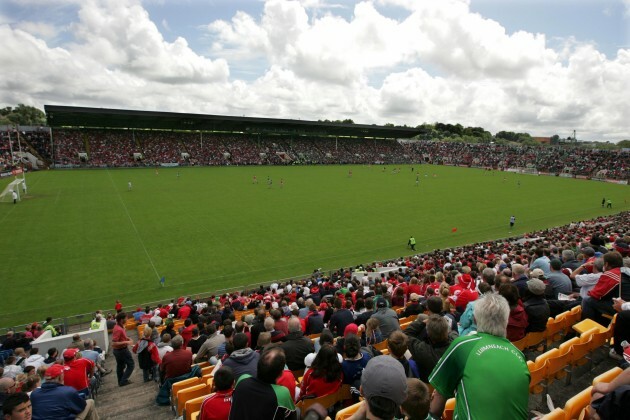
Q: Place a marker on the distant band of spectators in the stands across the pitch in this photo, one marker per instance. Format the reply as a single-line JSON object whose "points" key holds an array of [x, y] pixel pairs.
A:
{"points": [[130, 148]]}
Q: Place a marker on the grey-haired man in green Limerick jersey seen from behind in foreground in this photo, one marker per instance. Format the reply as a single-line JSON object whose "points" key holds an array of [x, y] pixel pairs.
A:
{"points": [[474, 361]]}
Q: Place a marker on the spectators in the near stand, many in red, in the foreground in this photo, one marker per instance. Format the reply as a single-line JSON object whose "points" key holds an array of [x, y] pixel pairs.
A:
{"points": [[382, 331]]}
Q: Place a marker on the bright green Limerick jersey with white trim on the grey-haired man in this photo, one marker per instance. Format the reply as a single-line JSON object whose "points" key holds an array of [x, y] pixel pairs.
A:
{"points": [[487, 375]]}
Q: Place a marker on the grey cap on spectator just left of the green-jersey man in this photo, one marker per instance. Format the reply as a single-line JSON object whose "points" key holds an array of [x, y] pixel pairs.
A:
{"points": [[385, 377]]}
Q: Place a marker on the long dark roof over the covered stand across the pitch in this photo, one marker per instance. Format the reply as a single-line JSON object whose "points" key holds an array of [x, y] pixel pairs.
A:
{"points": [[70, 116]]}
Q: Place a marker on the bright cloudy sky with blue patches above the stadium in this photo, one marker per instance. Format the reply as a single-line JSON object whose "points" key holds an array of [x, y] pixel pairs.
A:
{"points": [[539, 66]]}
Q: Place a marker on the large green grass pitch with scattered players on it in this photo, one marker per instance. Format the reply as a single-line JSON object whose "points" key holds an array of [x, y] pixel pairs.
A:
{"points": [[80, 239]]}
